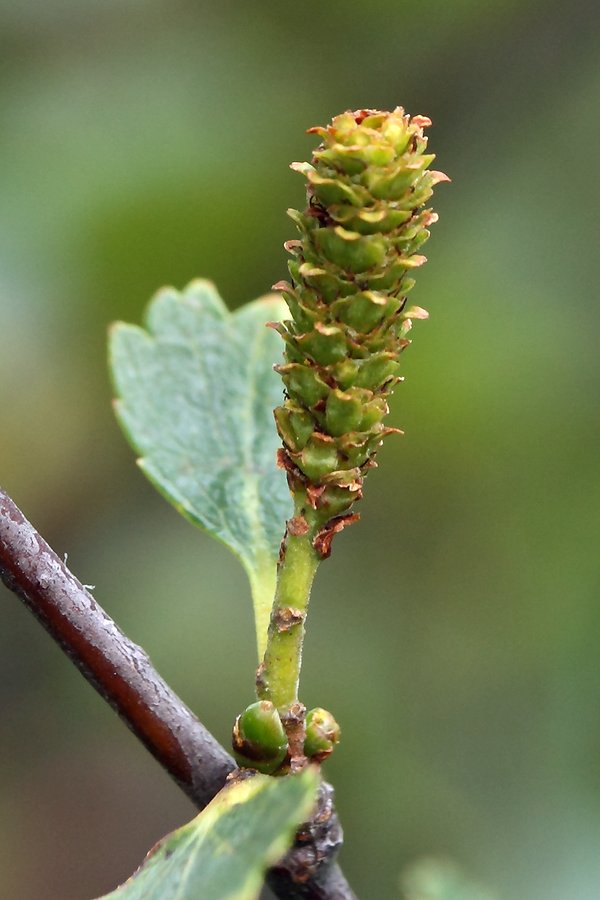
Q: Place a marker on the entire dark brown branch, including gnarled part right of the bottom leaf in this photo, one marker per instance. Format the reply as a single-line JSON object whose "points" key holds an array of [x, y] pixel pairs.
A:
{"points": [[123, 675]]}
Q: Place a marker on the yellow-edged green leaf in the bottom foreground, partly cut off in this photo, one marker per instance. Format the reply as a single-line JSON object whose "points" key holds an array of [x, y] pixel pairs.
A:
{"points": [[224, 852]]}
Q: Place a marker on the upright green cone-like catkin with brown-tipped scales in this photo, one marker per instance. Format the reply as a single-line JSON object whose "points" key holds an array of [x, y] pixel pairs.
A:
{"points": [[361, 236]]}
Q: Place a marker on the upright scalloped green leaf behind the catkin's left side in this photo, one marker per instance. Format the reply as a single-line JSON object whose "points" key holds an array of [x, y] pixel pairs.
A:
{"points": [[196, 391]]}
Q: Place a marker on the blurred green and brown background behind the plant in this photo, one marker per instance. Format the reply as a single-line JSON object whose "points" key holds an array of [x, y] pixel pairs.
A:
{"points": [[146, 142]]}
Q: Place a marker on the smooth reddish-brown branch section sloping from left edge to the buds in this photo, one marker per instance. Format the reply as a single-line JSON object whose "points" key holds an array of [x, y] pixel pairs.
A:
{"points": [[120, 671]]}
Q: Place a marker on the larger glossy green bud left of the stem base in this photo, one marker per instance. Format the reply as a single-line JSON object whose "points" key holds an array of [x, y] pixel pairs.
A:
{"points": [[259, 740]]}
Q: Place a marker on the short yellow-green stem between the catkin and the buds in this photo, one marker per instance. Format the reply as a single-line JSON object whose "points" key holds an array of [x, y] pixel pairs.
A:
{"points": [[279, 673]]}
